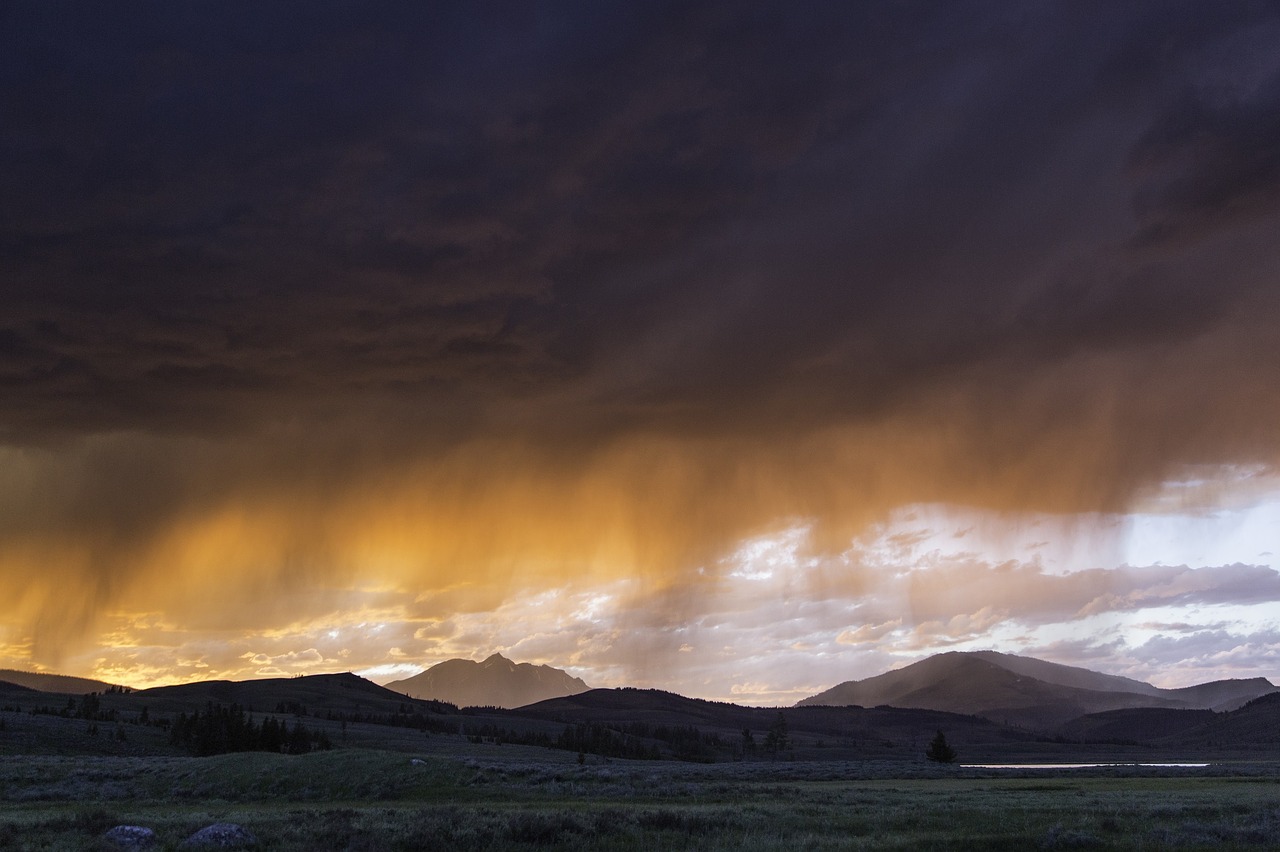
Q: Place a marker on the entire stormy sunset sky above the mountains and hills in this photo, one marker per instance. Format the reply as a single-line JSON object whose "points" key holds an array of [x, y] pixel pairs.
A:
{"points": [[730, 349]]}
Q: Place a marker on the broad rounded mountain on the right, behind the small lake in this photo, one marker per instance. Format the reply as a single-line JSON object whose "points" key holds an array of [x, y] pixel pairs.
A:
{"points": [[1026, 691]]}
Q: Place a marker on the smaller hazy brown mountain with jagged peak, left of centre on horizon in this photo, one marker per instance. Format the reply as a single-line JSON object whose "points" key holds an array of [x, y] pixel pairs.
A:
{"points": [[495, 682]]}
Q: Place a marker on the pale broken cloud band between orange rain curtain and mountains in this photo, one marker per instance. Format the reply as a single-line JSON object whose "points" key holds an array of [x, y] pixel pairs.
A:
{"points": [[770, 624]]}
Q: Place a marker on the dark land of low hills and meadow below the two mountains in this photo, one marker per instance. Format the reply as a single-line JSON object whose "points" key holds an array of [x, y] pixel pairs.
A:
{"points": [[386, 772]]}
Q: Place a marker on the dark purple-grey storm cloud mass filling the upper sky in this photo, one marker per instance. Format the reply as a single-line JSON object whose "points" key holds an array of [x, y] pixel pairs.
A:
{"points": [[221, 214]]}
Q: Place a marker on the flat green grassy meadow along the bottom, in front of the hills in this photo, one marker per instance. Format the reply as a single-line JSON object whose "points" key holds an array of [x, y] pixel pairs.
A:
{"points": [[371, 800]]}
